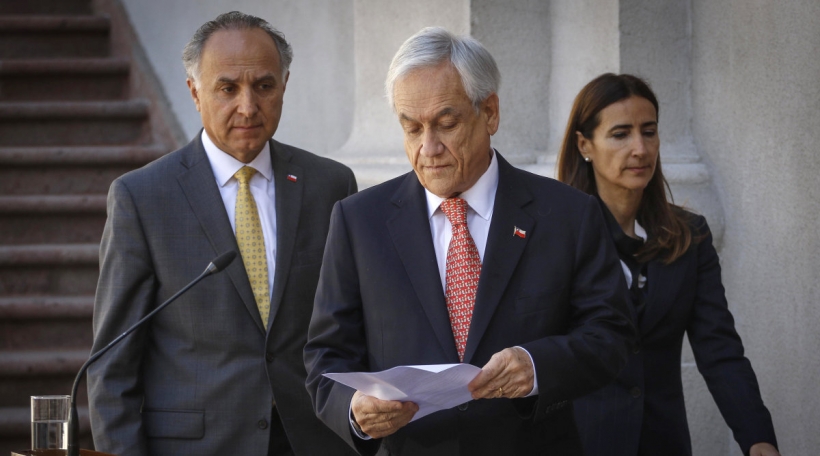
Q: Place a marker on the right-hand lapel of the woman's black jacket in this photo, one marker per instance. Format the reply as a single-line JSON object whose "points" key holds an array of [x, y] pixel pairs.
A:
{"points": [[664, 282]]}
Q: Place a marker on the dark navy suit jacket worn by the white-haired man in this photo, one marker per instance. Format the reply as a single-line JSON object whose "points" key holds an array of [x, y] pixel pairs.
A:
{"points": [[558, 293]]}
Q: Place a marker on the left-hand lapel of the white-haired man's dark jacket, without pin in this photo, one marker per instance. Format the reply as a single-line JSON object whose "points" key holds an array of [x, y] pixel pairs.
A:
{"points": [[410, 230]]}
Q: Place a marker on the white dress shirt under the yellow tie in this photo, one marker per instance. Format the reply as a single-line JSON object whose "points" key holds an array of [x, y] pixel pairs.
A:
{"points": [[262, 187]]}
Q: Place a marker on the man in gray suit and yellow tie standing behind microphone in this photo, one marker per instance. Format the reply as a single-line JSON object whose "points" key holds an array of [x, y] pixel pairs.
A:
{"points": [[220, 371]]}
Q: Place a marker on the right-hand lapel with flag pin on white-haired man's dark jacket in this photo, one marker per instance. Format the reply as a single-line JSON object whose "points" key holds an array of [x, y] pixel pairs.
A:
{"points": [[503, 250]]}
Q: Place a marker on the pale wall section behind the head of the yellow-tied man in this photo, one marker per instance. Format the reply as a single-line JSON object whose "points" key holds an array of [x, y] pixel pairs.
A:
{"points": [[318, 109]]}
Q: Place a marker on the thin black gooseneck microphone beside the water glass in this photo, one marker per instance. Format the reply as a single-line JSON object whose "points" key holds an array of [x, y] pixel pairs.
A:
{"points": [[218, 264]]}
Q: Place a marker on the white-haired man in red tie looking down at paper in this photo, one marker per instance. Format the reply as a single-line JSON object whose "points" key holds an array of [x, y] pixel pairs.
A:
{"points": [[466, 259]]}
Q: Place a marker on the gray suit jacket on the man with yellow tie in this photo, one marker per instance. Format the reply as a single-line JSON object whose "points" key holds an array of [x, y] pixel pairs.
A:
{"points": [[200, 378]]}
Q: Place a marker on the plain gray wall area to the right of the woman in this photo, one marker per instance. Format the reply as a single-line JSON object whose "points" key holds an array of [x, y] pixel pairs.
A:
{"points": [[756, 104]]}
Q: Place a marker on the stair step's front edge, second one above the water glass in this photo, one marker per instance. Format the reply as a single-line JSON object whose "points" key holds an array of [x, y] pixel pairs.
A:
{"points": [[46, 307]]}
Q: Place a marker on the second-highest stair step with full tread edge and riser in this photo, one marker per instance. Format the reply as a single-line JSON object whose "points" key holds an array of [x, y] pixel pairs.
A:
{"points": [[64, 79]]}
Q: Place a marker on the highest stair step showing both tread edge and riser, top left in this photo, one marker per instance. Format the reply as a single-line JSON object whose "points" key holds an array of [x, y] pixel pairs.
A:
{"points": [[33, 36]]}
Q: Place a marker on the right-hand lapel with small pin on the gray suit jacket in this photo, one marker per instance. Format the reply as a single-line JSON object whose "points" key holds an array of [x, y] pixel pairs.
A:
{"points": [[288, 207]]}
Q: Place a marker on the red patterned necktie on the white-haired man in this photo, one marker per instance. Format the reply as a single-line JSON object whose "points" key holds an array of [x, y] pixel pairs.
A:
{"points": [[463, 271]]}
